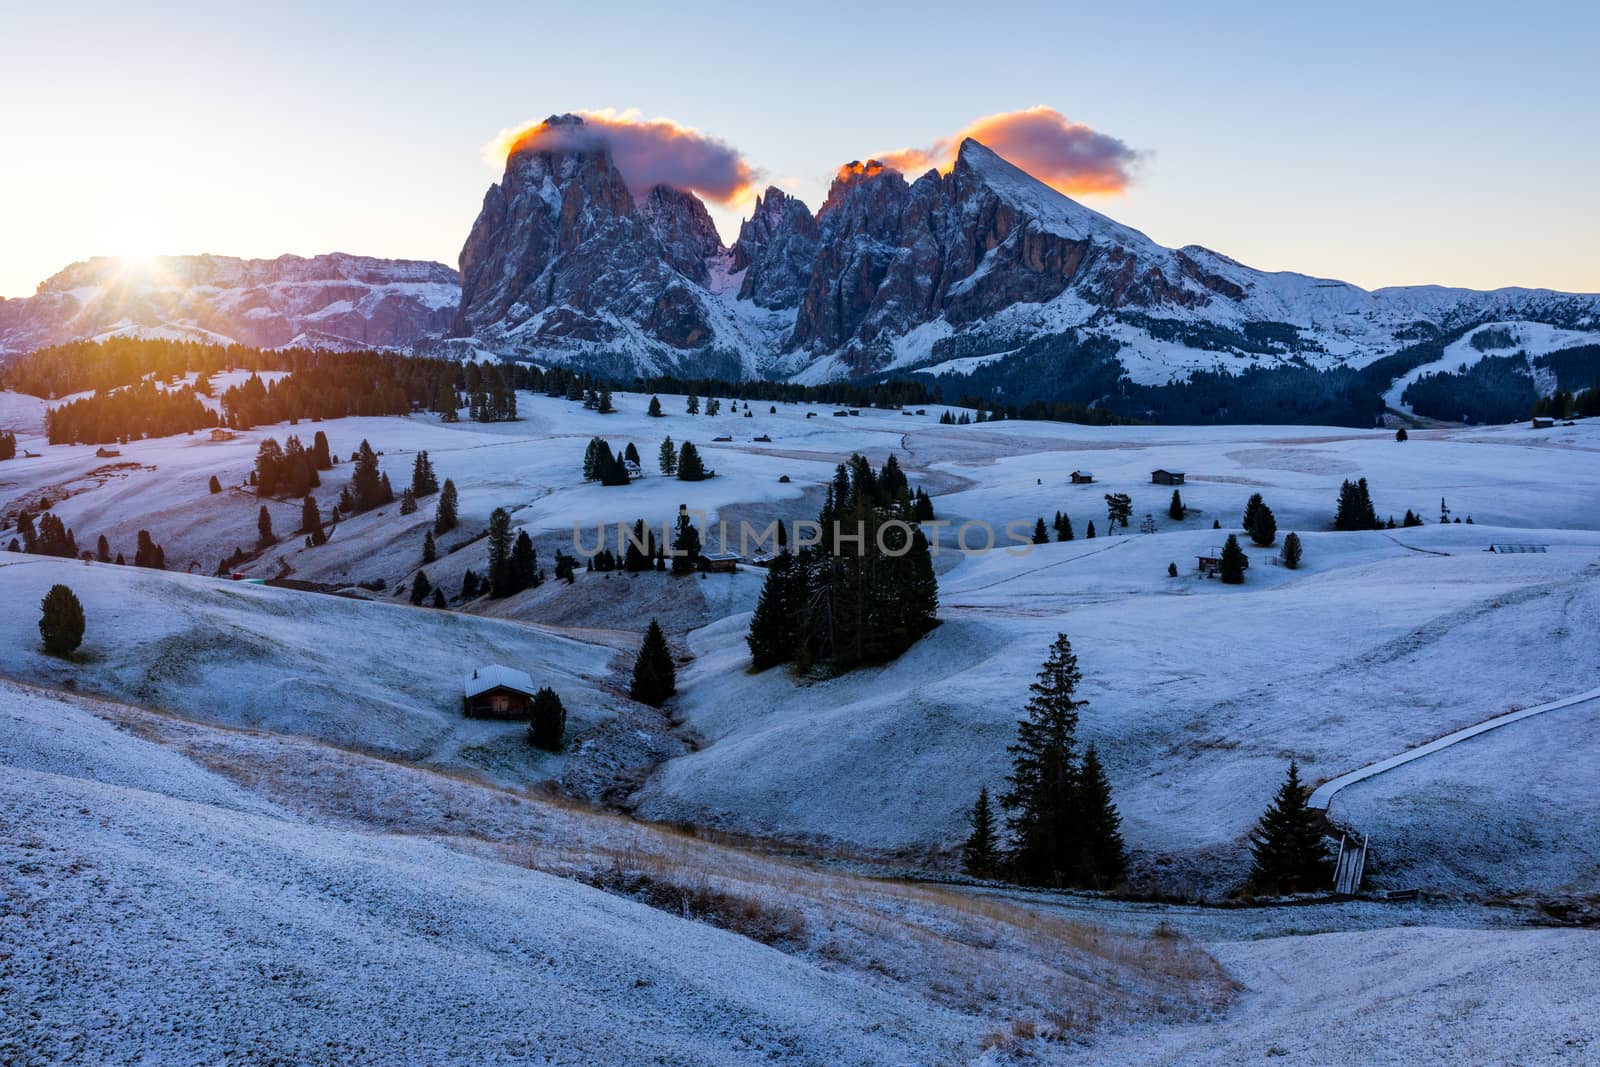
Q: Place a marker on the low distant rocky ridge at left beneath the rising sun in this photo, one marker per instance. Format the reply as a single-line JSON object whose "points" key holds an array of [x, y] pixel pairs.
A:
{"points": [[332, 302]]}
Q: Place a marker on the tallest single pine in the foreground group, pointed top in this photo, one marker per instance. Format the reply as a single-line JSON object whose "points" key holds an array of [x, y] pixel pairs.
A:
{"points": [[1042, 801]]}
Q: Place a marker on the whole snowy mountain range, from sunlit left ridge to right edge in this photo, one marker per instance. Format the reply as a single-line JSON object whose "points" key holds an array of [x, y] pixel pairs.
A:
{"points": [[982, 274]]}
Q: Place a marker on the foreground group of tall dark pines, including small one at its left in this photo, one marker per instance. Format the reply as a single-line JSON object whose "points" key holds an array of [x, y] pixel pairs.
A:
{"points": [[1063, 825]]}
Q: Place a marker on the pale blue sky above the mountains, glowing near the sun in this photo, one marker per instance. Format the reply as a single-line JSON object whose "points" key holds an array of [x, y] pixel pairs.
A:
{"points": [[1385, 145]]}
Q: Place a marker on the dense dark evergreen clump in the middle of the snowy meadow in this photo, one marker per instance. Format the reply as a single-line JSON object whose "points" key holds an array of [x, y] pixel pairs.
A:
{"points": [[850, 601]]}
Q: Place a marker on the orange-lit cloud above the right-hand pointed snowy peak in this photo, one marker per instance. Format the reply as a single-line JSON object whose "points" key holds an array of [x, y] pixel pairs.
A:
{"points": [[1063, 154]]}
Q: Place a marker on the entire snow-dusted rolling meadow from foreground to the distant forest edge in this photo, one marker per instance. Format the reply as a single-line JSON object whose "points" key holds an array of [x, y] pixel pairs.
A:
{"points": [[263, 829]]}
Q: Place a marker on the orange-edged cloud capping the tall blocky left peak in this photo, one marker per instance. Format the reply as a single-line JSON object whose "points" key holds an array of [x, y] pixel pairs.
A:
{"points": [[647, 153]]}
